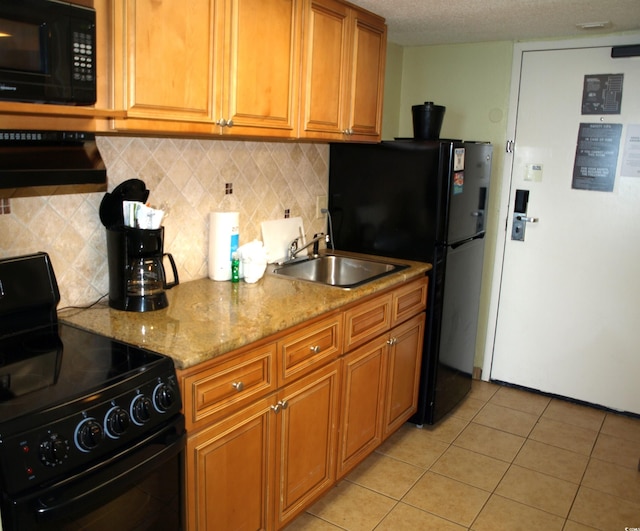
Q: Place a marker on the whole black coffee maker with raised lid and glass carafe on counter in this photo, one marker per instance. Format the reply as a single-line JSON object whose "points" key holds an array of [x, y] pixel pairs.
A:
{"points": [[137, 277]]}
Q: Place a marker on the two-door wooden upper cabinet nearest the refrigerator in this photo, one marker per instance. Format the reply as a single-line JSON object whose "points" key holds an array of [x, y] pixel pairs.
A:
{"points": [[344, 53]]}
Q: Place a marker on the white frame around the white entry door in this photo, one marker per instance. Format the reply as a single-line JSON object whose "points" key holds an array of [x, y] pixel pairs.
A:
{"points": [[506, 181]]}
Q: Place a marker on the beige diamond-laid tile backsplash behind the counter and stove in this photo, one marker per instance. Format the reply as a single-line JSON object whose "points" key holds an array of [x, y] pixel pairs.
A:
{"points": [[192, 177]]}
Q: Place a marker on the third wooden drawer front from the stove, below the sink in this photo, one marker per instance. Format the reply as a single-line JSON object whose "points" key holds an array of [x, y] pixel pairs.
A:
{"points": [[366, 321]]}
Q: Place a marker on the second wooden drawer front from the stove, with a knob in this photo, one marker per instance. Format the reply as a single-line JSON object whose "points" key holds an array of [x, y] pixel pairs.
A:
{"points": [[303, 351]]}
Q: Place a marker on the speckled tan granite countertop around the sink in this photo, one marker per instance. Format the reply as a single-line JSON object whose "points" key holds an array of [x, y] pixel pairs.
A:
{"points": [[207, 318]]}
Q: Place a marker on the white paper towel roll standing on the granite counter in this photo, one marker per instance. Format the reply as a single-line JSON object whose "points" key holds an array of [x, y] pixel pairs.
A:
{"points": [[223, 242]]}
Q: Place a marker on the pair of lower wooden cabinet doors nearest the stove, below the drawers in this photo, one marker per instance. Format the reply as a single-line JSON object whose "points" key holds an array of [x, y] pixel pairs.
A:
{"points": [[263, 465]]}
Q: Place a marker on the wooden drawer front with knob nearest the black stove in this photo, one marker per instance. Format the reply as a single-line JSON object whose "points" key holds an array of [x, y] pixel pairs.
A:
{"points": [[228, 385]]}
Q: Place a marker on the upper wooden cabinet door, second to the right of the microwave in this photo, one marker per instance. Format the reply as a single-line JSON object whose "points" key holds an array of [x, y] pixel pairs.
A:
{"points": [[260, 68]]}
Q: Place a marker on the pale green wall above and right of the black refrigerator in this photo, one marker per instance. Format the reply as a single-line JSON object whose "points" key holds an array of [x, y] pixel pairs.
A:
{"points": [[473, 82]]}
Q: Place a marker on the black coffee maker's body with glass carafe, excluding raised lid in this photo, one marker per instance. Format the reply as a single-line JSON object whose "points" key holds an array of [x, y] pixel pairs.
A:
{"points": [[137, 277]]}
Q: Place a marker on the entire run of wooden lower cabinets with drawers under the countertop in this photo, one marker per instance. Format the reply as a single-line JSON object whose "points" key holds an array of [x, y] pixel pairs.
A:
{"points": [[262, 449]]}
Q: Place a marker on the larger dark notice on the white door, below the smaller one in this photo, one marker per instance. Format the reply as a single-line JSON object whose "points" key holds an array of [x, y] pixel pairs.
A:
{"points": [[596, 157]]}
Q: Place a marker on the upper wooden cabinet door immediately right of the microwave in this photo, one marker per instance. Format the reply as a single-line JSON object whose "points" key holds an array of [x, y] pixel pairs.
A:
{"points": [[164, 59]]}
